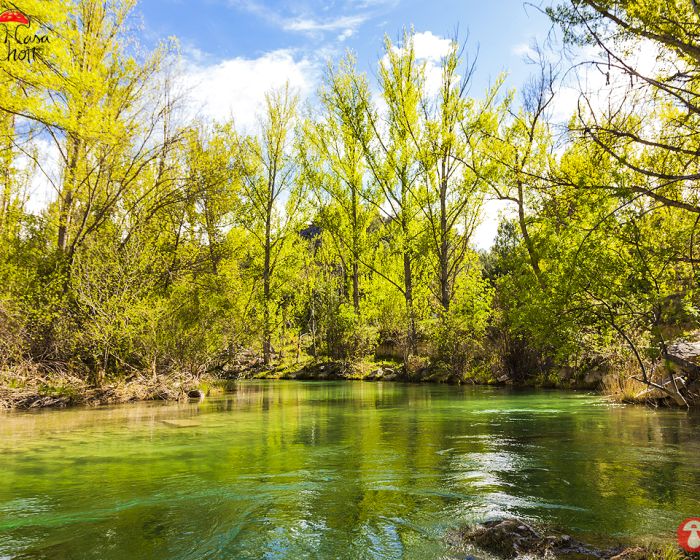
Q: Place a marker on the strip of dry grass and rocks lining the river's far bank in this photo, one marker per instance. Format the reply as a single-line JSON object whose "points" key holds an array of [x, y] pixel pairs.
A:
{"points": [[33, 387]]}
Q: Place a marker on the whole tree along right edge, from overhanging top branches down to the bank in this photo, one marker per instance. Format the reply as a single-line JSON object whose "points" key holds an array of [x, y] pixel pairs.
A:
{"points": [[642, 124]]}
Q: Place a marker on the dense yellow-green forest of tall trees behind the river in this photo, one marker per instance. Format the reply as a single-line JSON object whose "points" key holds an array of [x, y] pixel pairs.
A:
{"points": [[341, 230]]}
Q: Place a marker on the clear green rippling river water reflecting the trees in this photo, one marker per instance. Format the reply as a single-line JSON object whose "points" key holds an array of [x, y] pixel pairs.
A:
{"points": [[337, 470]]}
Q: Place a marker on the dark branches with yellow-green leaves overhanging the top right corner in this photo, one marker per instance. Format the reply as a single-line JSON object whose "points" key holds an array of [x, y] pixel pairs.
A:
{"points": [[650, 119]]}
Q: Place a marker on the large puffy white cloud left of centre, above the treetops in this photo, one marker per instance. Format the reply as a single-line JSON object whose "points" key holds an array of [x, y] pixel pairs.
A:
{"points": [[236, 87]]}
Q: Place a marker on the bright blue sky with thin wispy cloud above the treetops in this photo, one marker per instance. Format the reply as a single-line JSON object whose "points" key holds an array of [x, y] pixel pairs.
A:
{"points": [[217, 30]]}
